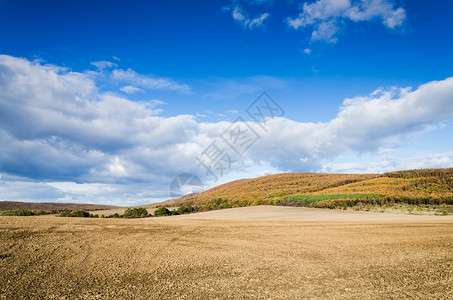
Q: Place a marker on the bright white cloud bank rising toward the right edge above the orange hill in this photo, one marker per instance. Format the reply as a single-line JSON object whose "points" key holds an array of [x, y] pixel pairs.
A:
{"points": [[363, 124]]}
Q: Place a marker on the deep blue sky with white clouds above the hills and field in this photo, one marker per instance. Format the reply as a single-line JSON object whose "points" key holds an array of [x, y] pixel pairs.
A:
{"points": [[108, 102]]}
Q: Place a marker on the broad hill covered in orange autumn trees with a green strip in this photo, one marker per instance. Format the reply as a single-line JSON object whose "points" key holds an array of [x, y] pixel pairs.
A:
{"points": [[411, 187]]}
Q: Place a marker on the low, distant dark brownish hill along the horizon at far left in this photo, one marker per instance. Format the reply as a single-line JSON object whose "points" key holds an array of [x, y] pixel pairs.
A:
{"points": [[52, 207]]}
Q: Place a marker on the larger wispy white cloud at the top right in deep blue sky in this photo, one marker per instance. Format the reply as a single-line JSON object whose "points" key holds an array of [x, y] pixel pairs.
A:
{"points": [[327, 17]]}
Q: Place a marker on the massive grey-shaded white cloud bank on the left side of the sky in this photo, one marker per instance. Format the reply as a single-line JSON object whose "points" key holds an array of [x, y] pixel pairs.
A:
{"points": [[56, 125]]}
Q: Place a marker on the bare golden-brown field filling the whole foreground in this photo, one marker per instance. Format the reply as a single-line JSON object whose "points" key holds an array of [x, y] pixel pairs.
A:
{"points": [[215, 256]]}
